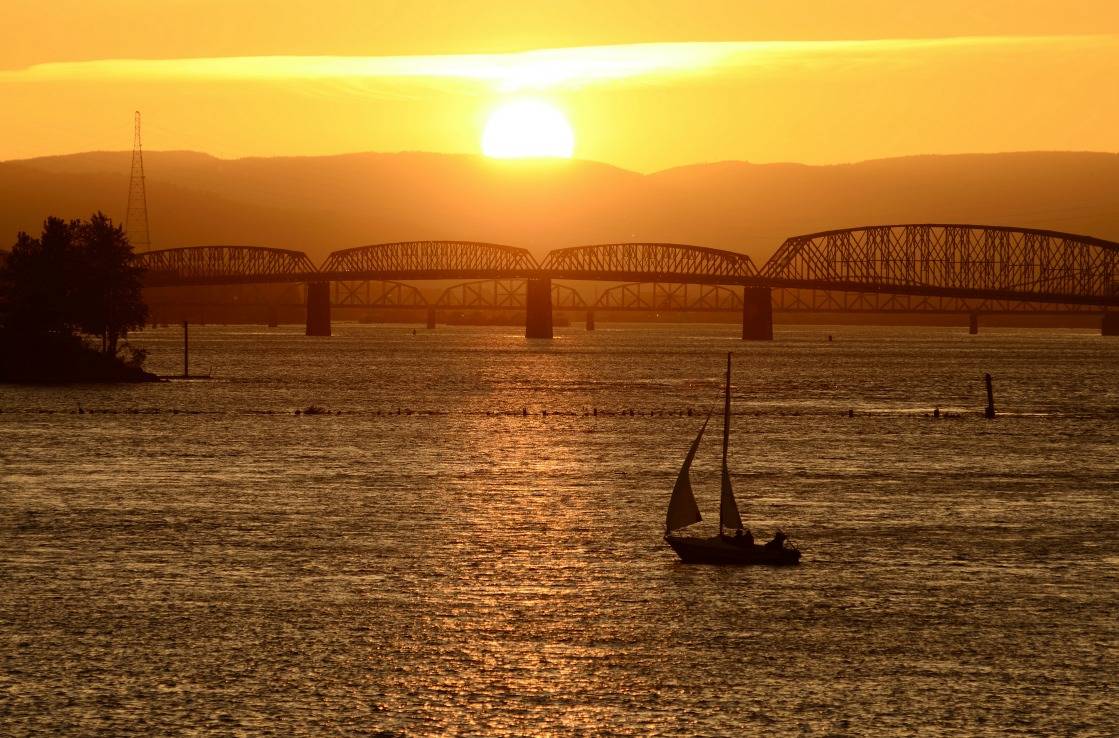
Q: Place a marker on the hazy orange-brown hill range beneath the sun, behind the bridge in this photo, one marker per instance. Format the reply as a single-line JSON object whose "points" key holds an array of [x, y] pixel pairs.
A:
{"points": [[322, 204]]}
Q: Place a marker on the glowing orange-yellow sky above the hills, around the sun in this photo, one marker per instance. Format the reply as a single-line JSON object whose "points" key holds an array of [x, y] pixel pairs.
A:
{"points": [[646, 86]]}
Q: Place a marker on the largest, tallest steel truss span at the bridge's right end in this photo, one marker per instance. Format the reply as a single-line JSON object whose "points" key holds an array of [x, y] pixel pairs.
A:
{"points": [[953, 261]]}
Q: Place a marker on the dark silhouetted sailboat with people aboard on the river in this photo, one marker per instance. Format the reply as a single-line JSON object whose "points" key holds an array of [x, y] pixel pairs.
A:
{"points": [[683, 512]]}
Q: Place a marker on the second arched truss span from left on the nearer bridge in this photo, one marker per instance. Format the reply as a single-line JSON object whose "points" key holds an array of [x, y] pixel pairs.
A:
{"points": [[428, 260]]}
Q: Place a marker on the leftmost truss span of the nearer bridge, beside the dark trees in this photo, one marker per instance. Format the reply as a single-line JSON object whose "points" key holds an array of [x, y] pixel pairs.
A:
{"points": [[214, 266]]}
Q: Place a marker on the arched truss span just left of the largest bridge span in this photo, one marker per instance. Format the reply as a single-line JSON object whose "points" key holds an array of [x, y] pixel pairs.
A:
{"points": [[667, 263]]}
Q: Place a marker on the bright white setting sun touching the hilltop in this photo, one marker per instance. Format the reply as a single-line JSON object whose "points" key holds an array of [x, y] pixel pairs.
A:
{"points": [[529, 128]]}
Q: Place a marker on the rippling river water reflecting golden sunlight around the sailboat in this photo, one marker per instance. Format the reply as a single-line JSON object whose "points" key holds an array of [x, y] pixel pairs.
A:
{"points": [[424, 559]]}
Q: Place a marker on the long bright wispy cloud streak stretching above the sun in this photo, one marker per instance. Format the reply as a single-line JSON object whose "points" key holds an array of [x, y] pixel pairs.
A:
{"points": [[552, 69]]}
